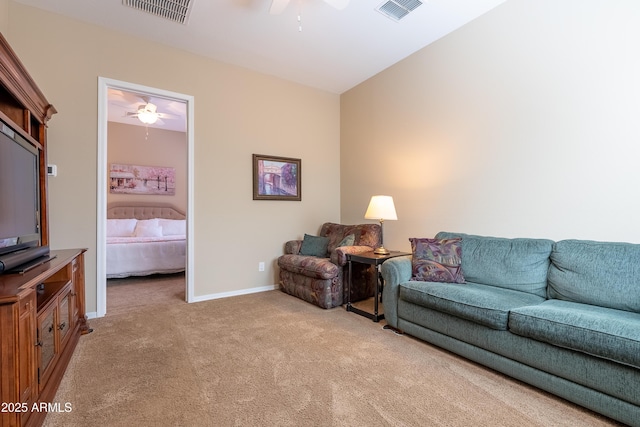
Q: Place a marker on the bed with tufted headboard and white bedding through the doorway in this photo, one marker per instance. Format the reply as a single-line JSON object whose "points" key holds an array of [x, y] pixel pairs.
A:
{"points": [[144, 240]]}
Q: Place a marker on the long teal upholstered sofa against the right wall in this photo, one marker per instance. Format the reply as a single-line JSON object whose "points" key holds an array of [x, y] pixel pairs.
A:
{"points": [[562, 316]]}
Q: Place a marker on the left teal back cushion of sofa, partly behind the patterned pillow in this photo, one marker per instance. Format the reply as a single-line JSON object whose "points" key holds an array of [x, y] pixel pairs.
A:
{"points": [[519, 264]]}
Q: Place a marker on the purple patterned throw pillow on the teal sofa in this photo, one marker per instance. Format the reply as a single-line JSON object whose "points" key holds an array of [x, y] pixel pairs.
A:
{"points": [[436, 260]]}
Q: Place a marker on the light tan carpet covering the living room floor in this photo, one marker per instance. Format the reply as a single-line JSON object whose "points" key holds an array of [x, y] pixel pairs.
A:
{"points": [[269, 359]]}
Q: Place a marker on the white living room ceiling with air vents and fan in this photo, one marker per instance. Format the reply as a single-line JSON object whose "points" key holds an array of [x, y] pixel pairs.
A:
{"points": [[335, 51]]}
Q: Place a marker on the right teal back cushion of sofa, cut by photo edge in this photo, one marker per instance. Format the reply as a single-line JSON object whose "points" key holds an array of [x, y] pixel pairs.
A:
{"points": [[597, 273]]}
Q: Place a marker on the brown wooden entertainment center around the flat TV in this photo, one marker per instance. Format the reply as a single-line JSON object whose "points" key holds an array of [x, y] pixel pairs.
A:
{"points": [[42, 310]]}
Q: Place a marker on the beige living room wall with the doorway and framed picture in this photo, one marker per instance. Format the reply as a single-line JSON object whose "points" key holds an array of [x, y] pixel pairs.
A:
{"points": [[237, 113]]}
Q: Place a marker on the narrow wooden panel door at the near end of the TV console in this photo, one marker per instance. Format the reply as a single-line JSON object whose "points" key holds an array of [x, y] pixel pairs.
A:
{"points": [[27, 381]]}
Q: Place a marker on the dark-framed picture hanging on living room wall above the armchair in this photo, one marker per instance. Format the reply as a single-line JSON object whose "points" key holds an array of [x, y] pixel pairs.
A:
{"points": [[276, 178]]}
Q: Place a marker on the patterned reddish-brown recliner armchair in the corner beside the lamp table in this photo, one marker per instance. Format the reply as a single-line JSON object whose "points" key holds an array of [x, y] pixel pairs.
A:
{"points": [[322, 279]]}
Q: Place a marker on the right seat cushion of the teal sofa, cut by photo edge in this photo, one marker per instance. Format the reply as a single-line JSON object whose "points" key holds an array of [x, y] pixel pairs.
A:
{"points": [[603, 332]]}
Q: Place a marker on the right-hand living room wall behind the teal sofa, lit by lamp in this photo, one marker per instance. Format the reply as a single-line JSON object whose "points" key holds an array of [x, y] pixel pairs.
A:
{"points": [[522, 123]]}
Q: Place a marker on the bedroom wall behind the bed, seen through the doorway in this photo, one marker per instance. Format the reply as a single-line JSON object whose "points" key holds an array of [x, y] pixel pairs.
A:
{"points": [[135, 145]]}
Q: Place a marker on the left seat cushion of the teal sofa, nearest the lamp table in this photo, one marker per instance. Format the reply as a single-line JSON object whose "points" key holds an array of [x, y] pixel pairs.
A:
{"points": [[483, 304]]}
